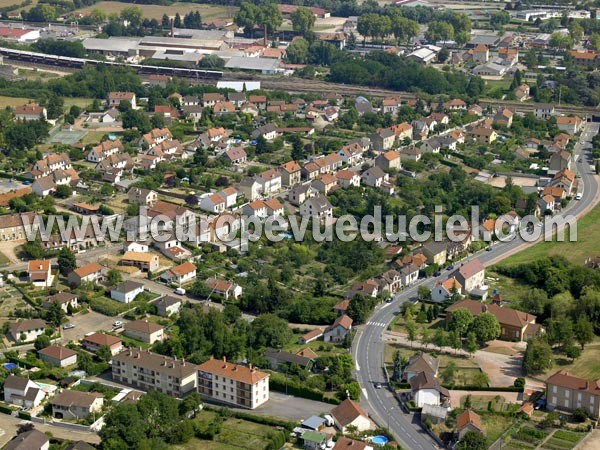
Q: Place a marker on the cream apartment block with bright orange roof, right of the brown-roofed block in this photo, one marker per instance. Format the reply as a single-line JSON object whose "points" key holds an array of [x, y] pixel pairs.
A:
{"points": [[230, 383]]}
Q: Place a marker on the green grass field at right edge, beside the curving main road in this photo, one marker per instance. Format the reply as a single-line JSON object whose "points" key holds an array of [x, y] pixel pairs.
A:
{"points": [[587, 244]]}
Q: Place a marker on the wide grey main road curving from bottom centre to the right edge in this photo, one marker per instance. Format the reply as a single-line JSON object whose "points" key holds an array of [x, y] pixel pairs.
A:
{"points": [[367, 348]]}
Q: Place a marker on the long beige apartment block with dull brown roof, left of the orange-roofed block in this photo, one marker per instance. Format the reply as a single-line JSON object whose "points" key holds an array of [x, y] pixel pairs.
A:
{"points": [[145, 370]]}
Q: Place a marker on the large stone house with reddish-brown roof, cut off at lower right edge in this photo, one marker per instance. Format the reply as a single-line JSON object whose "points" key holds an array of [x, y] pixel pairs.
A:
{"points": [[567, 392]]}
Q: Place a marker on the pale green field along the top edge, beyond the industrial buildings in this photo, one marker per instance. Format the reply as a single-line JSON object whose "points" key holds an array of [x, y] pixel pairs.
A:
{"points": [[157, 11]]}
